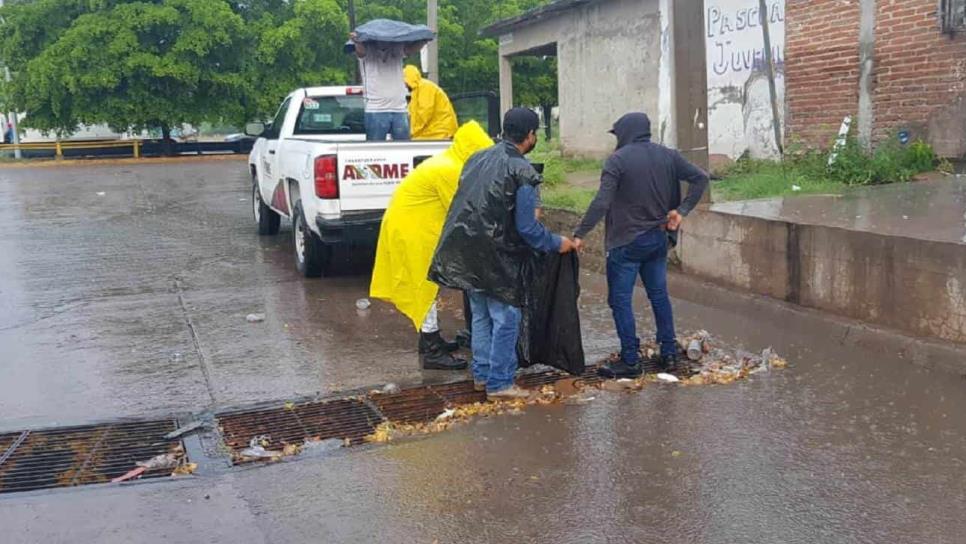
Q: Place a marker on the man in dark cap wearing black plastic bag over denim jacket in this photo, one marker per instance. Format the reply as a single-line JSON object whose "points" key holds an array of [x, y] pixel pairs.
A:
{"points": [[488, 243]]}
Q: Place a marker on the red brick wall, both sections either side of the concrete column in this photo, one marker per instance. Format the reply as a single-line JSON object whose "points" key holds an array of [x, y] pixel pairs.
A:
{"points": [[919, 78]]}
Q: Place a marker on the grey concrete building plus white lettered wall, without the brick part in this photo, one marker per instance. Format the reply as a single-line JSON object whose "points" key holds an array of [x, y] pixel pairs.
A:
{"points": [[616, 56]]}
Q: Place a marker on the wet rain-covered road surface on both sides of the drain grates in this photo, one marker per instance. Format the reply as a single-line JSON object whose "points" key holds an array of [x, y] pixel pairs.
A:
{"points": [[100, 294]]}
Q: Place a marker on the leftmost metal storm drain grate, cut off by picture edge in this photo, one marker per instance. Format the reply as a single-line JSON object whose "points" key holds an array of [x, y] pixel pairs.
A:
{"points": [[90, 454]]}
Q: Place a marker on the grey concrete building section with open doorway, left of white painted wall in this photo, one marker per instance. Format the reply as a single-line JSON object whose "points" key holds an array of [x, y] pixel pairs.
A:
{"points": [[610, 60]]}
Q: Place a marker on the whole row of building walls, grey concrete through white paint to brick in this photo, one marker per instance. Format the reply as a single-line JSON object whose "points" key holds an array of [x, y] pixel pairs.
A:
{"points": [[898, 68]]}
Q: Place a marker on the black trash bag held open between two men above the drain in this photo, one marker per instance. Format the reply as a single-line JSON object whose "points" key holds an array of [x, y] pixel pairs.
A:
{"points": [[550, 330]]}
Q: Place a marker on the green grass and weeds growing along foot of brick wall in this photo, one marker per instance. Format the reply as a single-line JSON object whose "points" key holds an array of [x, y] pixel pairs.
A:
{"points": [[808, 172]]}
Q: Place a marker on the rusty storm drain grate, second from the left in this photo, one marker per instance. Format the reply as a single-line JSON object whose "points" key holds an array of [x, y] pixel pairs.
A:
{"points": [[346, 419]]}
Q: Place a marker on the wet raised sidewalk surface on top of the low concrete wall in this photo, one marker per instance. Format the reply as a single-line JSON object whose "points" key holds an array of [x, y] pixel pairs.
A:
{"points": [[928, 210]]}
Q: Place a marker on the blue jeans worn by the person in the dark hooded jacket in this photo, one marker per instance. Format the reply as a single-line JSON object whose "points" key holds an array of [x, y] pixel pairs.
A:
{"points": [[645, 256]]}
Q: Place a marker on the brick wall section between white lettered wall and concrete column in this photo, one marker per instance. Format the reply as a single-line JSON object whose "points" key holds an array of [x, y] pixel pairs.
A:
{"points": [[821, 67]]}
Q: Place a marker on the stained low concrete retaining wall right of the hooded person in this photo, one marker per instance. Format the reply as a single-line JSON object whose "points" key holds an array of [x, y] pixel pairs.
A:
{"points": [[912, 285]]}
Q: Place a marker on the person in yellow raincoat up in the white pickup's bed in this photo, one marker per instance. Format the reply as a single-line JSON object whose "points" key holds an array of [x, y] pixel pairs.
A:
{"points": [[431, 115]]}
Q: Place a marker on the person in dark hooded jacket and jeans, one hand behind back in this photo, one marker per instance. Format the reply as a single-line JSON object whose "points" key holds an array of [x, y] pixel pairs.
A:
{"points": [[640, 196]]}
